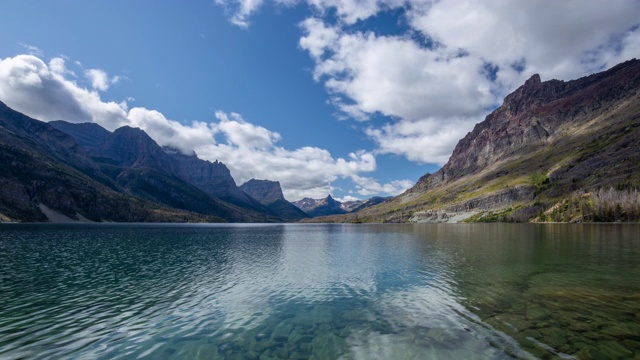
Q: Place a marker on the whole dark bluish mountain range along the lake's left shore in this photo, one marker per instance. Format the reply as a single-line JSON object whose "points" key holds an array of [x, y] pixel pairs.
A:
{"points": [[84, 172]]}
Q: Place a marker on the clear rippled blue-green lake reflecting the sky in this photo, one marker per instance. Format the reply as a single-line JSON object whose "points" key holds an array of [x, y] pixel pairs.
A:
{"points": [[410, 291]]}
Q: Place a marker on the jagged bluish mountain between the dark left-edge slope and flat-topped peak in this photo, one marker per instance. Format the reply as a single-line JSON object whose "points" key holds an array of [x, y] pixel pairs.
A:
{"points": [[140, 167]]}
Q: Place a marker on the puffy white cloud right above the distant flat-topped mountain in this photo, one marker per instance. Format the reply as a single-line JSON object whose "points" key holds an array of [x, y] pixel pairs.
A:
{"points": [[251, 151]]}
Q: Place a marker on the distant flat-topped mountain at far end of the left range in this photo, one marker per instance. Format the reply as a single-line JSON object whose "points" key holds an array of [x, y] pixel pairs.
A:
{"points": [[269, 193]]}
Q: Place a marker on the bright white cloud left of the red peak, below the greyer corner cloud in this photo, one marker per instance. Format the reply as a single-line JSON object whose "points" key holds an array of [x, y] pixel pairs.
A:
{"points": [[434, 98]]}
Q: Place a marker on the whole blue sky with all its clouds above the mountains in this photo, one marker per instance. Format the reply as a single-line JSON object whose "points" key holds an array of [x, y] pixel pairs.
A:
{"points": [[352, 98]]}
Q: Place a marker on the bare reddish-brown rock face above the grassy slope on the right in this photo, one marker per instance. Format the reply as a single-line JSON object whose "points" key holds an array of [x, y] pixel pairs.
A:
{"points": [[534, 116]]}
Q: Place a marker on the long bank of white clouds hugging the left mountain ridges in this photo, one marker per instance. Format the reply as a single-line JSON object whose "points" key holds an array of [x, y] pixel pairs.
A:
{"points": [[44, 91]]}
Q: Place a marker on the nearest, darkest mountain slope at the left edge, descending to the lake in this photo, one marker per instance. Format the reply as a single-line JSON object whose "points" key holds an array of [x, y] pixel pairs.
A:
{"points": [[45, 171]]}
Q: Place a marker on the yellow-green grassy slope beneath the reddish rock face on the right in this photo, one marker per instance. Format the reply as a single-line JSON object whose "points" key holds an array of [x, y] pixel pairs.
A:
{"points": [[596, 151]]}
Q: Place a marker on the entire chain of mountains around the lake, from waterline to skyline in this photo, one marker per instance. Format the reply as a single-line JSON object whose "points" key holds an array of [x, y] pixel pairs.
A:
{"points": [[553, 151]]}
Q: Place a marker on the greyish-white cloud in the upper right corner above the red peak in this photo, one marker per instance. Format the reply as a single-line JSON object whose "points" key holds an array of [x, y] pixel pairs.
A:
{"points": [[553, 37]]}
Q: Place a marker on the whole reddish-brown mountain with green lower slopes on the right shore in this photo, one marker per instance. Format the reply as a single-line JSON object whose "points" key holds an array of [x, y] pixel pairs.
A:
{"points": [[550, 146]]}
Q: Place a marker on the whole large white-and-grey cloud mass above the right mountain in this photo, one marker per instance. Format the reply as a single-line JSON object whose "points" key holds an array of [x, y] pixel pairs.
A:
{"points": [[457, 61]]}
